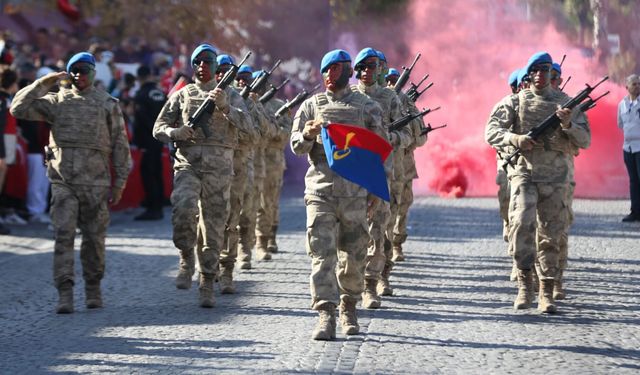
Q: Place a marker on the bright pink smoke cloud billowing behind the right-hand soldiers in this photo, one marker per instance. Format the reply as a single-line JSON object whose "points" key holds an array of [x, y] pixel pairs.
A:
{"points": [[470, 53]]}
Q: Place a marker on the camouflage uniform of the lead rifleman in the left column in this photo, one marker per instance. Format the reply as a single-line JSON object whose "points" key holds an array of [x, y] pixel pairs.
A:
{"points": [[203, 170]]}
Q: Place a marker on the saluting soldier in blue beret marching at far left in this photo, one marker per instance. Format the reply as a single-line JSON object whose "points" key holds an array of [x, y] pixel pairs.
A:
{"points": [[87, 135]]}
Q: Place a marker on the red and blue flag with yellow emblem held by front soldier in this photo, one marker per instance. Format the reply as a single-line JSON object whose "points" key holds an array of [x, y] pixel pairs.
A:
{"points": [[358, 154]]}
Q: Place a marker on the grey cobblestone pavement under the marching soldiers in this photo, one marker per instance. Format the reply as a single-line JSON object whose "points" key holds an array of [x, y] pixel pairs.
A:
{"points": [[451, 313]]}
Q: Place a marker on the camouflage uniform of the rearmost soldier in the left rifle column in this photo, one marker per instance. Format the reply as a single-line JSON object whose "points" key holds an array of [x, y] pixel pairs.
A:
{"points": [[268, 214]]}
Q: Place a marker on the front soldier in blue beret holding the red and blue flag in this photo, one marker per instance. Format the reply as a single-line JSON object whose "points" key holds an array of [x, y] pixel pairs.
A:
{"points": [[336, 207]]}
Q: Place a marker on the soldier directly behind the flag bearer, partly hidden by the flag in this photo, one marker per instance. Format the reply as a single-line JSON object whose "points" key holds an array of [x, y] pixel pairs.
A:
{"points": [[368, 70]]}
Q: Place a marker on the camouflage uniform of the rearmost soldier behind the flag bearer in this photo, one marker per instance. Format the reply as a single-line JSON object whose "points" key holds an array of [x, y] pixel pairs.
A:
{"points": [[410, 172]]}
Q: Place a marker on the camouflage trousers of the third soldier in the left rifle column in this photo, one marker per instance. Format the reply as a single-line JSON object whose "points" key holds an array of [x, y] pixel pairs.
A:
{"points": [[248, 215]]}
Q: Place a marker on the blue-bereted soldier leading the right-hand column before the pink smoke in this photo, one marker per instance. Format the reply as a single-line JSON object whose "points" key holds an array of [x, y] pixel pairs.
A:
{"points": [[539, 178]]}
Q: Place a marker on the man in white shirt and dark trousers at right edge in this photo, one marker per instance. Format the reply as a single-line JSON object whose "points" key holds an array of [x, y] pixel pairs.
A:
{"points": [[629, 122]]}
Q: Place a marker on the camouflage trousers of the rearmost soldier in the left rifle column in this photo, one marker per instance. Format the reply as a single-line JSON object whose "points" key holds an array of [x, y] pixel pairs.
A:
{"points": [[269, 211]]}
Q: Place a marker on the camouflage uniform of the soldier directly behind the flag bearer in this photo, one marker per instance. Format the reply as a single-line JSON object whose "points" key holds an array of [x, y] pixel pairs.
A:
{"points": [[380, 225]]}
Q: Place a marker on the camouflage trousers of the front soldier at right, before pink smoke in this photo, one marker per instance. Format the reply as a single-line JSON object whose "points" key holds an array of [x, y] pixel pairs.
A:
{"points": [[541, 207]]}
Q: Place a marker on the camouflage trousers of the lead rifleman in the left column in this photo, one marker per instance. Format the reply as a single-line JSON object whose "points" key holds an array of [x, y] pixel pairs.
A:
{"points": [[201, 203]]}
